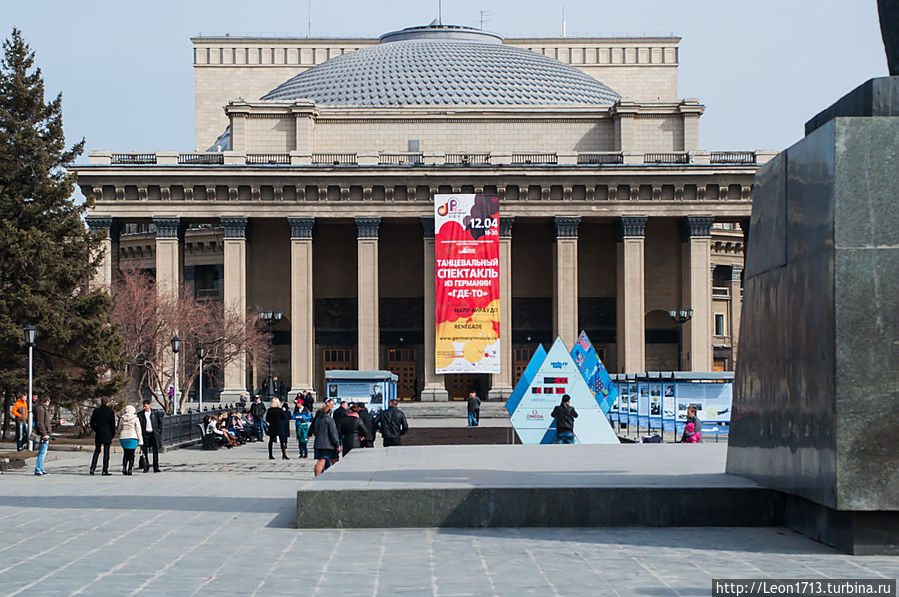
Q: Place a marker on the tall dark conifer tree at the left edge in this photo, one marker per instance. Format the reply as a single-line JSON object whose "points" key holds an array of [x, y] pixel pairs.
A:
{"points": [[47, 256]]}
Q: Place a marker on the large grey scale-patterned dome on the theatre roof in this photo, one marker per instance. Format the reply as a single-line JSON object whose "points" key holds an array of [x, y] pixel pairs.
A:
{"points": [[440, 65]]}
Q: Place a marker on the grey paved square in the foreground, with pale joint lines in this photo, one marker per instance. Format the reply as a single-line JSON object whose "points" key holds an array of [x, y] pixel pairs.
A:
{"points": [[221, 523]]}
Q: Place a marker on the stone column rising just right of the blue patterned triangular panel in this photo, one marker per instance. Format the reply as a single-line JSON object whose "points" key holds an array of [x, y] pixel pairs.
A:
{"points": [[631, 333]]}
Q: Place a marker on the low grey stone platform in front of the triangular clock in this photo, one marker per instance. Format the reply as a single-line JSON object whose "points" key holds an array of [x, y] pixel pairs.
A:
{"points": [[536, 486]]}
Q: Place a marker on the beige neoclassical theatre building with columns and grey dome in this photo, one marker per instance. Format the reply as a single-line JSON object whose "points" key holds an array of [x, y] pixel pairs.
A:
{"points": [[311, 188]]}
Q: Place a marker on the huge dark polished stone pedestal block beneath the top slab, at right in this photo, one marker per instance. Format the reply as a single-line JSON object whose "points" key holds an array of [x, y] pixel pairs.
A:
{"points": [[816, 397]]}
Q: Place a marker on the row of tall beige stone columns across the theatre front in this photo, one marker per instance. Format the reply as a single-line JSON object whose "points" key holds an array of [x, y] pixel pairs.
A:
{"points": [[631, 283]]}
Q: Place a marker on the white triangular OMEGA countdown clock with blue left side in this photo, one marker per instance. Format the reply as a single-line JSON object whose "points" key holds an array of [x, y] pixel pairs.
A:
{"points": [[540, 392]]}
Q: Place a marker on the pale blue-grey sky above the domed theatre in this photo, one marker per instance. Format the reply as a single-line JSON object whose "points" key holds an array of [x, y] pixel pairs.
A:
{"points": [[761, 67]]}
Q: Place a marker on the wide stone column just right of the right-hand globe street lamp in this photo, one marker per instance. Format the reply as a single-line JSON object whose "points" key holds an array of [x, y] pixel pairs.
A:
{"points": [[697, 292]]}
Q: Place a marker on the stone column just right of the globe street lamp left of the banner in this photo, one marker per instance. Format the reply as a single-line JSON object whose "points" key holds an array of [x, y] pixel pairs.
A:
{"points": [[302, 307]]}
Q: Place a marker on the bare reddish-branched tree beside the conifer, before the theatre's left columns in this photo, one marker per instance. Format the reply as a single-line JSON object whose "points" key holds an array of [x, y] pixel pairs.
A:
{"points": [[148, 322]]}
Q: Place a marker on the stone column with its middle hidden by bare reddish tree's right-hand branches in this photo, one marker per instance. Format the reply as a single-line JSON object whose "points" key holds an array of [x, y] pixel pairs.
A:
{"points": [[235, 298]]}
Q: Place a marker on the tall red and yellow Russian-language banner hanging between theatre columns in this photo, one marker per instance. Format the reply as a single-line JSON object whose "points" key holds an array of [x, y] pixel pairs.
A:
{"points": [[466, 277]]}
